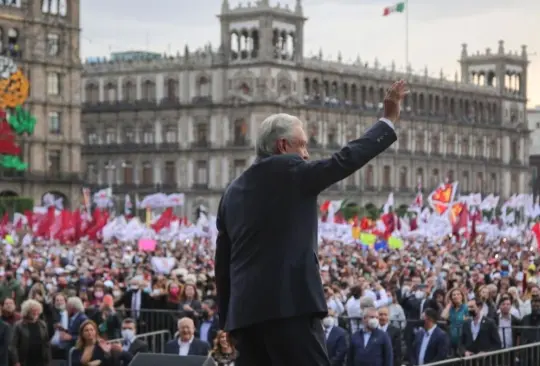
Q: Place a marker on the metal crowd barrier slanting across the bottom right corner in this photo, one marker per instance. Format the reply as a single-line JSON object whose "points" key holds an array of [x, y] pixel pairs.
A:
{"points": [[526, 355]]}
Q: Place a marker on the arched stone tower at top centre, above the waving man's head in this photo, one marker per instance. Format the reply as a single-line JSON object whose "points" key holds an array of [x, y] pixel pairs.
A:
{"points": [[261, 32]]}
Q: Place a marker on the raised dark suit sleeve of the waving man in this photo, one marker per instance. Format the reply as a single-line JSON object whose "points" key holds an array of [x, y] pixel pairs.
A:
{"points": [[316, 176]]}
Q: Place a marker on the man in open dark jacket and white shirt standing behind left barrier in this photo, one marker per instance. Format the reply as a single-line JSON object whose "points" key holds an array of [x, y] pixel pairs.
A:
{"points": [[134, 300]]}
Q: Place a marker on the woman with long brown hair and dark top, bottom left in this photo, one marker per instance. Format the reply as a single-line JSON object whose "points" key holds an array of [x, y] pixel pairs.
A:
{"points": [[90, 350]]}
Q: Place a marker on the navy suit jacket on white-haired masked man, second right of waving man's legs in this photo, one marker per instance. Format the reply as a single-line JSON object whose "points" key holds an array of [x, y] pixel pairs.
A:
{"points": [[377, 352]]}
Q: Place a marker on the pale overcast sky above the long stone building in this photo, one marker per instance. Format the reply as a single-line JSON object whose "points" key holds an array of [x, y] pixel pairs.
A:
{"points": [[437, 29]]}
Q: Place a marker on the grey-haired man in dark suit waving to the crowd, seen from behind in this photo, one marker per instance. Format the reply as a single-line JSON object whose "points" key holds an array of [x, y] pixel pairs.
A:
{"points": [[270, 294]]}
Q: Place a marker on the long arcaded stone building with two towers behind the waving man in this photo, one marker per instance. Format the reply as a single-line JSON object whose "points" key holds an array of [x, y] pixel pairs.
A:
{"points": [[187, 123]]}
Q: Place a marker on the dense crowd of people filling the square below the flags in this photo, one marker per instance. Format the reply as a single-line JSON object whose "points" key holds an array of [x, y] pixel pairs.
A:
{"points": [[87, 302]]}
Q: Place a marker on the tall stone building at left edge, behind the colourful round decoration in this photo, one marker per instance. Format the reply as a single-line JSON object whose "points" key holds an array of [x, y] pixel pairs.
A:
{"points": [[42, 37]]}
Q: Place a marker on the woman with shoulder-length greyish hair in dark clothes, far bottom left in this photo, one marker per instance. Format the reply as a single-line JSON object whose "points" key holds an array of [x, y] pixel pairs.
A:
{"points": [[30, 342]]}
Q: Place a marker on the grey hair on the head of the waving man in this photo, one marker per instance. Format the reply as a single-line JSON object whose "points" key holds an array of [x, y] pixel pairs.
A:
{"points": [[273, 128]]}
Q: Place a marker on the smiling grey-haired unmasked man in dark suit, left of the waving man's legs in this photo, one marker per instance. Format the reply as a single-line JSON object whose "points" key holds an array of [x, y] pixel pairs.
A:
{"points": [[186, 344]]}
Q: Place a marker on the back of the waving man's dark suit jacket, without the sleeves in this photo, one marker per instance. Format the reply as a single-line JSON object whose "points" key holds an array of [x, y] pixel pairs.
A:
{"points": [[273, 262]]}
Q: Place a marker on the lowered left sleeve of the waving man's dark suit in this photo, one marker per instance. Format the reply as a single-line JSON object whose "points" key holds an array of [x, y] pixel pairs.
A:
{"points": [[222, 268]]}
